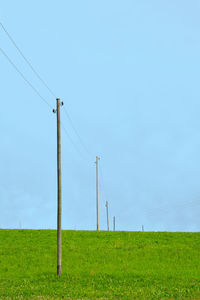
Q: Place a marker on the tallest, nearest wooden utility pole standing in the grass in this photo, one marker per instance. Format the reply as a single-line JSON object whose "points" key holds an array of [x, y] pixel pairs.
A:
{"points": [[59, 245]]}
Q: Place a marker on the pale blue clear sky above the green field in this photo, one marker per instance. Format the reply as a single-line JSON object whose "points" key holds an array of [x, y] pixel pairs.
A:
{"points": [[128, 73]]}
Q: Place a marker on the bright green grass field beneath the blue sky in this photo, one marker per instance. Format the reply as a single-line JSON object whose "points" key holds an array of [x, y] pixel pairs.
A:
{"points": [[104, 265]]}
